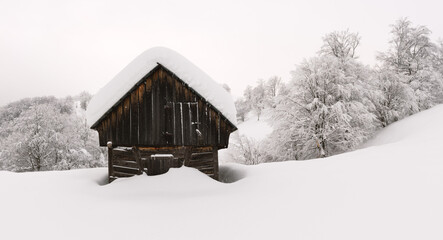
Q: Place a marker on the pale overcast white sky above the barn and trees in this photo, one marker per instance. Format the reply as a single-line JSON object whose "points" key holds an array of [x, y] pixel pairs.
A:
{"points": [[57, 47]]}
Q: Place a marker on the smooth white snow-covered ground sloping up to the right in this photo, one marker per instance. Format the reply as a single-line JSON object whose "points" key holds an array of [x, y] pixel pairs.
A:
{"points": [[392, 189]]}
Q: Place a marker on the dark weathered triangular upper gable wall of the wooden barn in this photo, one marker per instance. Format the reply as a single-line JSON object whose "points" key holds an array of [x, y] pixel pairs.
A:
{"points": [[162, 110]]}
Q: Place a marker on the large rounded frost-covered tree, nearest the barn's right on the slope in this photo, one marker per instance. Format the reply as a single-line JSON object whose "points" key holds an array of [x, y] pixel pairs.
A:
{"points": [[326, 111]]}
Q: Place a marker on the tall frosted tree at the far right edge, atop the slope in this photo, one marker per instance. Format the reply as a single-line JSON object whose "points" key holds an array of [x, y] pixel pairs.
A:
{"points": [[413, 56]]}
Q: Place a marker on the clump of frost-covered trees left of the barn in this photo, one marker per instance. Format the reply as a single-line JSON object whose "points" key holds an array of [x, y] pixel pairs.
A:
{"points": [[44, 134]]}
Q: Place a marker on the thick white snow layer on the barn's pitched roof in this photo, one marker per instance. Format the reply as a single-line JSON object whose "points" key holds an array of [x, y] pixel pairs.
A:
{"points": [[198, 80]]}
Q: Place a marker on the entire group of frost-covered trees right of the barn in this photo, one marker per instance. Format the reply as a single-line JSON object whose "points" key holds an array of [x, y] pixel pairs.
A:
{"points": [[334, 103]]}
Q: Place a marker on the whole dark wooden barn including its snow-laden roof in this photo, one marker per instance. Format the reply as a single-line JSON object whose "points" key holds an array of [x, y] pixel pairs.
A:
{"points": [[161, 111]]}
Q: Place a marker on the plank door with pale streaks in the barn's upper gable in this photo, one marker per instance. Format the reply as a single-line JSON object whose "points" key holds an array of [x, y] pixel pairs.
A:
{"points": [[182, 123]]}
